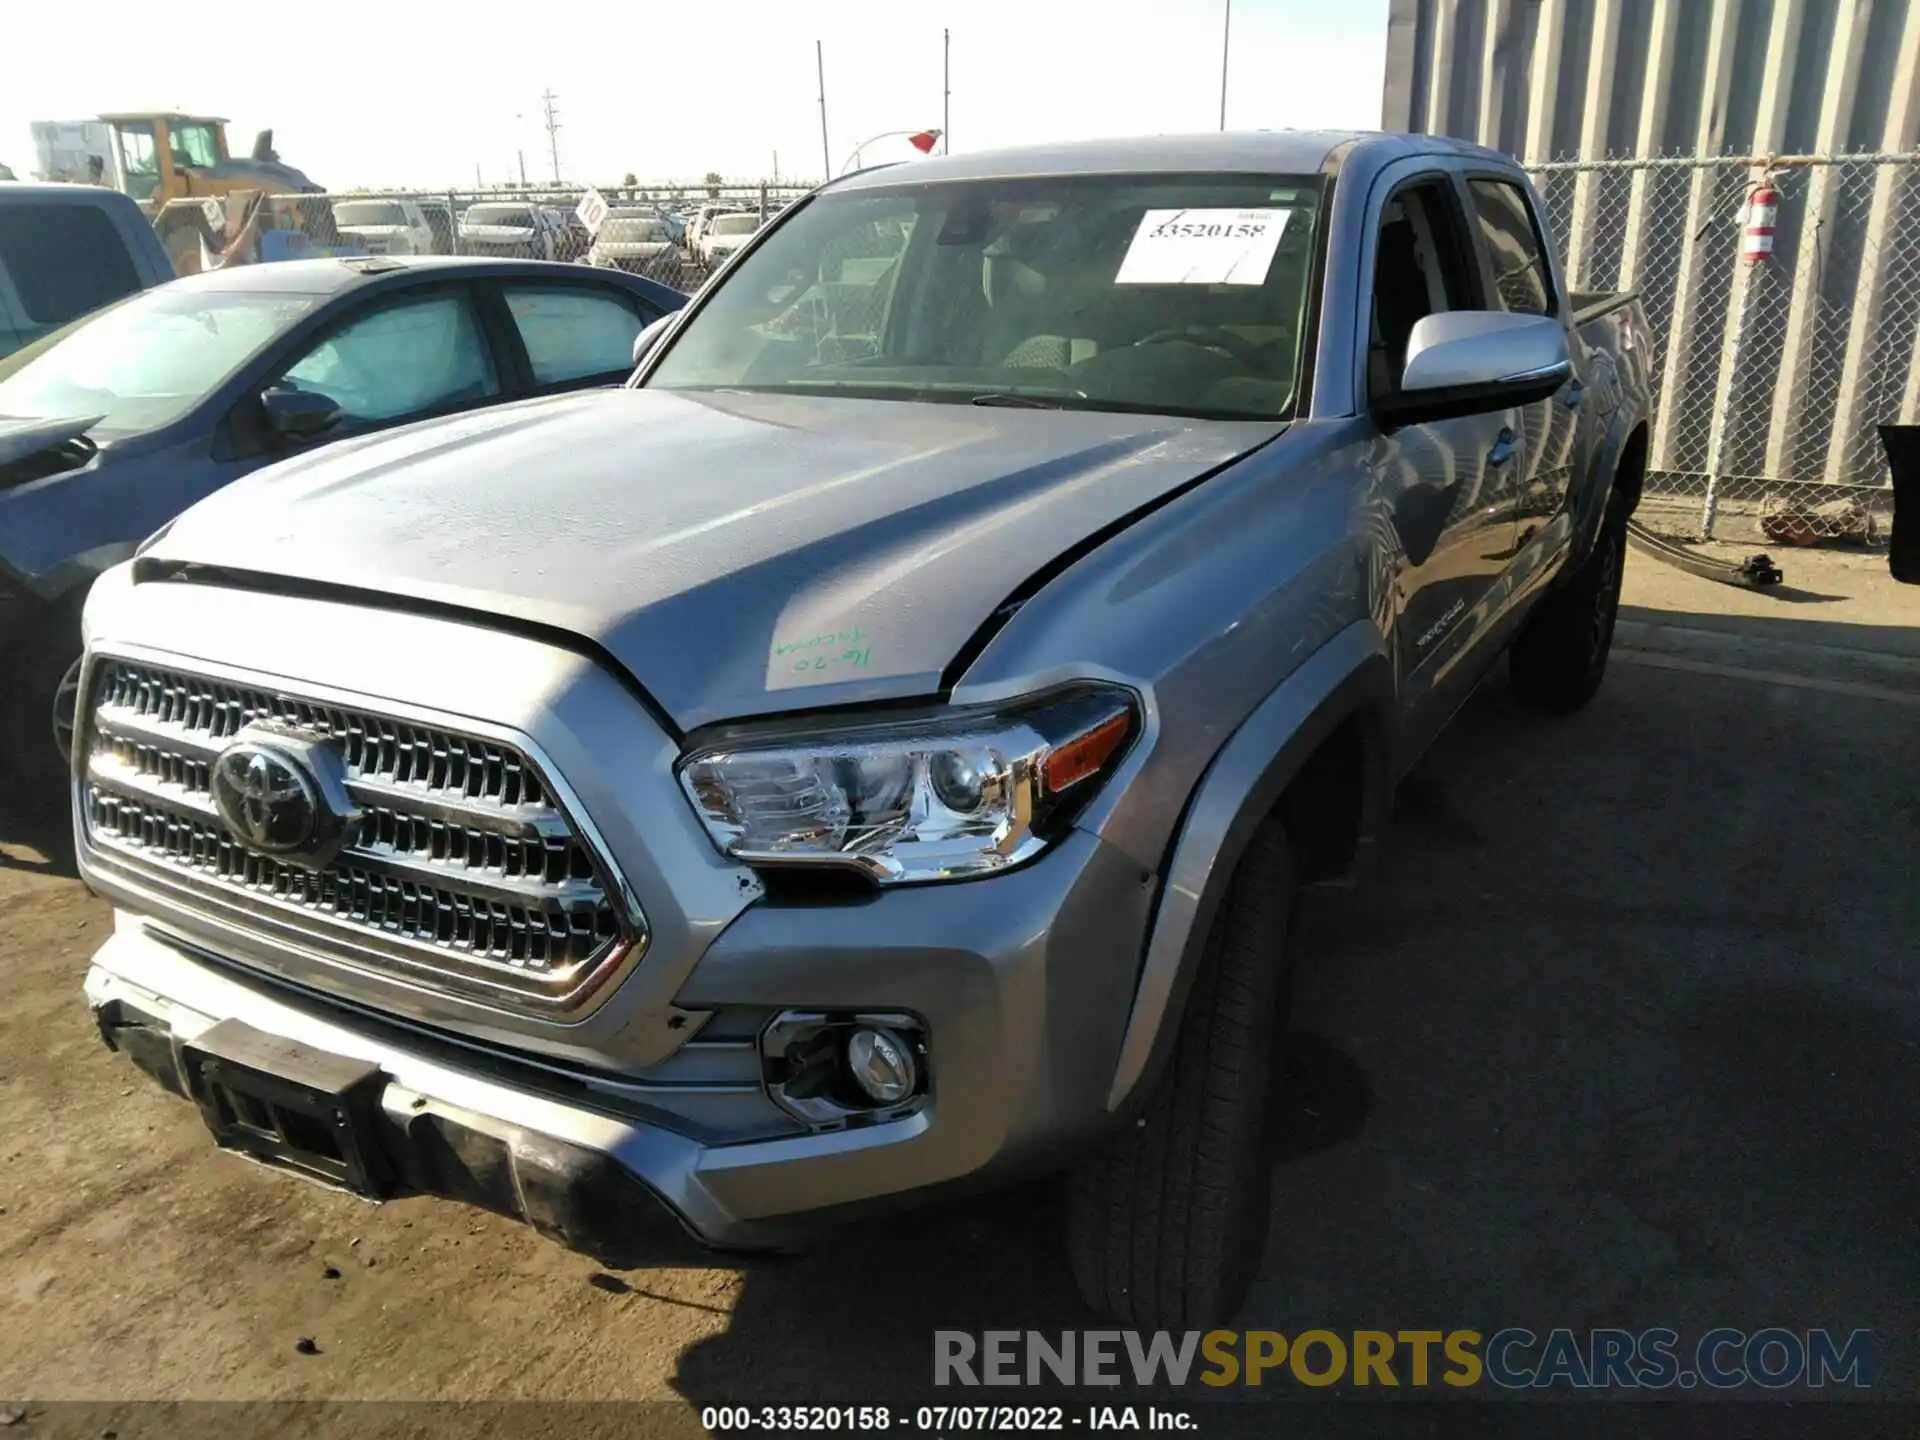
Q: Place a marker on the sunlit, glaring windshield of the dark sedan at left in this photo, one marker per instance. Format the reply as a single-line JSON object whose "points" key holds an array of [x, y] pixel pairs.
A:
{"points": [[149, 360]]}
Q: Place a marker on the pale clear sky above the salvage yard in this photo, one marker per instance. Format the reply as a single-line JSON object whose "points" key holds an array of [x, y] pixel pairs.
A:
{"points": [[410, 93]]}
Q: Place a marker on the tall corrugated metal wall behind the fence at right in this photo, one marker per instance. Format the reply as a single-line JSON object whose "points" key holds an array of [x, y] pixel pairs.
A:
{"points": [[1775, 375]]}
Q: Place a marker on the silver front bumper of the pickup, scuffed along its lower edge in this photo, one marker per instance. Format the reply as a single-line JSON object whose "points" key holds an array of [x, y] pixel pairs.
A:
{"points": [[1024, 986]]}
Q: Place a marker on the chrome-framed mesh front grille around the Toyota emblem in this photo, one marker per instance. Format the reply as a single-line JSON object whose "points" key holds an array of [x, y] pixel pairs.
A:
{"points": [[460, 869]]}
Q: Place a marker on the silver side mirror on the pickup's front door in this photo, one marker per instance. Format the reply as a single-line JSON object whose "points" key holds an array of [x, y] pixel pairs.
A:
{"points": [[1476, 362]]}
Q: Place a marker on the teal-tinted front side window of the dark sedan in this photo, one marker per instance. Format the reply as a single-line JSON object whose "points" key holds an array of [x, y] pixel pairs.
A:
{"points": [[402, 360]]}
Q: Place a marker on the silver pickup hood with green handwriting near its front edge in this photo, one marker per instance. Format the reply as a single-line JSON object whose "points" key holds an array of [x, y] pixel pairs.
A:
{"points": [[738, 554]]}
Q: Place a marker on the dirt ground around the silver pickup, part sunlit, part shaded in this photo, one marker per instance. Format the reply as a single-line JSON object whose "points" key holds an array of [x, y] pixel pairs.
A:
{"points": [[1627, 1036]]}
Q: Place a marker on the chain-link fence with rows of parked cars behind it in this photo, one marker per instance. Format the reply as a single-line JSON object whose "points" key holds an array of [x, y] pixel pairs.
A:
{"points": [[671, 233]]}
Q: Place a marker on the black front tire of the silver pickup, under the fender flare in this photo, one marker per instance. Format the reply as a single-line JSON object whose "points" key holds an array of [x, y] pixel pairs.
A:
{"points": [[1168, 1224]]}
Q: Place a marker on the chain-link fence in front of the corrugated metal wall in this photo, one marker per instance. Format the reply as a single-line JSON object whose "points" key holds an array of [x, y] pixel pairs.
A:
{"points": [[1773, 375]]}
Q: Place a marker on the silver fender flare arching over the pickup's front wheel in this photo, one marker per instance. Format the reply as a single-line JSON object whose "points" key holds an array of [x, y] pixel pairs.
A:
{"points": [[1349, 679]]}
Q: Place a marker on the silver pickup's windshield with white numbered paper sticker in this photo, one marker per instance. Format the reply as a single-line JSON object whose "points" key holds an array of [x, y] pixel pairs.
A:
{"points": [[1164, 295]]}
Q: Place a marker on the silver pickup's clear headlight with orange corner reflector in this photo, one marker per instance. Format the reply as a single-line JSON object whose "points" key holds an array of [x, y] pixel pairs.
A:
{"points": [[959, 796]]}
